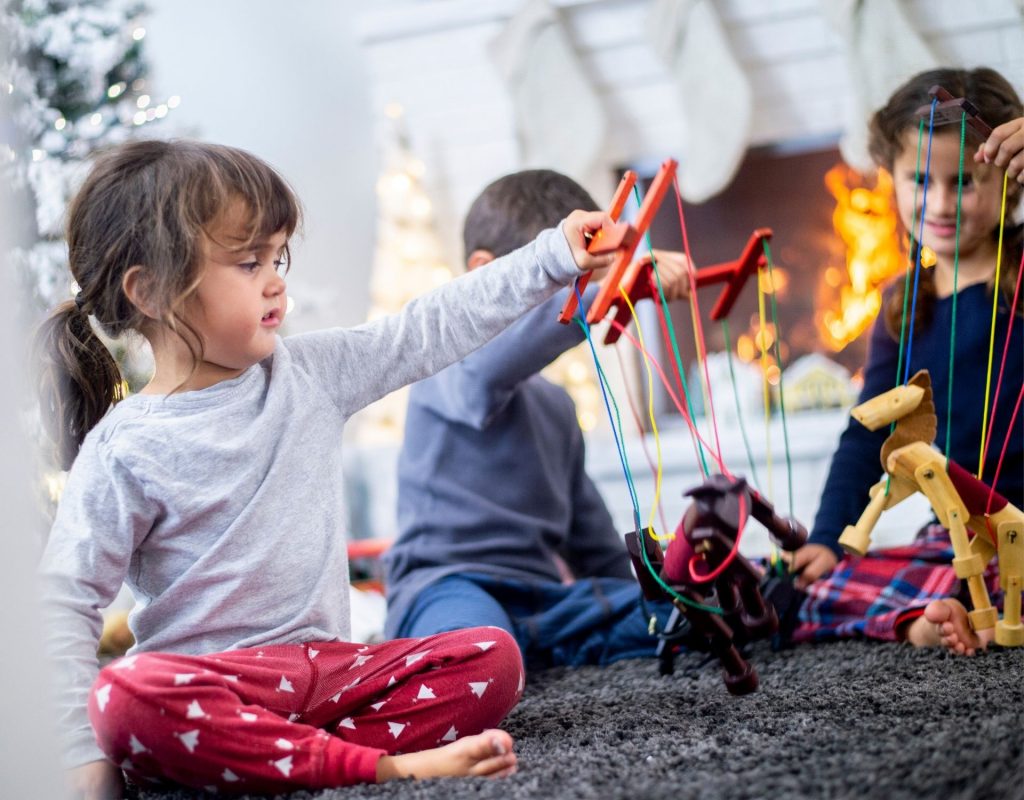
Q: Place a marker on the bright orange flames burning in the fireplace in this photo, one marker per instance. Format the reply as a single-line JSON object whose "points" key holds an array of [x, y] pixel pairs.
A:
{"points": [[866, 220]]}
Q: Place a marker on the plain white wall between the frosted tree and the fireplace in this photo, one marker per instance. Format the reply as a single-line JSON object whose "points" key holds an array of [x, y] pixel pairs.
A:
{"points": [[285, 81]]}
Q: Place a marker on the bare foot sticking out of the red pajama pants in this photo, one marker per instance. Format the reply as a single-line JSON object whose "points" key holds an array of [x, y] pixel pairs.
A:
{"points": [[488, 755]]}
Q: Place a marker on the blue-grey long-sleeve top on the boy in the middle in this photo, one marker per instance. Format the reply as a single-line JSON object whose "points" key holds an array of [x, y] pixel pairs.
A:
{"points": [[491, 475]]}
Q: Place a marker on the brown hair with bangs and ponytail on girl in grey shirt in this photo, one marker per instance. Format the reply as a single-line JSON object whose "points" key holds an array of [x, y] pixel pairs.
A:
{"points": [[148, 204]]}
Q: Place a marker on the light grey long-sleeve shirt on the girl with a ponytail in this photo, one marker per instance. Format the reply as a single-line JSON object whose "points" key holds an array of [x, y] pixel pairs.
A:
{"points": [[223, 509]]}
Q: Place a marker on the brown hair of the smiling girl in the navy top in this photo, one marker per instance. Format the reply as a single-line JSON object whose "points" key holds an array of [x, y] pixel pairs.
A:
{"points": [[997, 103]]}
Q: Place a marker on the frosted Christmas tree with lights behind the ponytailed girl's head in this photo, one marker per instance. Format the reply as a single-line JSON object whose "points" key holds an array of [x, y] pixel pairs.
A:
{"points": [[74, 82]]}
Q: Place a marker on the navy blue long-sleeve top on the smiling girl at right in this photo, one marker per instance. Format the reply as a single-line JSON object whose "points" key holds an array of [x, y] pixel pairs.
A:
{"points": [[857, 466]]}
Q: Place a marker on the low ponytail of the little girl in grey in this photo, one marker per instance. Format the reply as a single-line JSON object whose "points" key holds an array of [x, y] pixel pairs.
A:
{"points": [[78, 380]]}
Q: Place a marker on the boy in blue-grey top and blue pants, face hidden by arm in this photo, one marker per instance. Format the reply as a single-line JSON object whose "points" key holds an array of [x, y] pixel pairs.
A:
{"points": [[499, 523]]}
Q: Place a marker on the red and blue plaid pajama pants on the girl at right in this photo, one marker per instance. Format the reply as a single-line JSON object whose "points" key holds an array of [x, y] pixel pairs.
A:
{"points": [[873, 597]]}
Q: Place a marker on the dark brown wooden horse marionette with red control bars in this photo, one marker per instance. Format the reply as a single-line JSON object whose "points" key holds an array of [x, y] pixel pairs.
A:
{"points": [[702, 566]]}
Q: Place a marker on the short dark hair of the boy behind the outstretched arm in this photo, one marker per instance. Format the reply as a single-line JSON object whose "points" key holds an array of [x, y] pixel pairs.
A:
{"points": [[513, 210]]}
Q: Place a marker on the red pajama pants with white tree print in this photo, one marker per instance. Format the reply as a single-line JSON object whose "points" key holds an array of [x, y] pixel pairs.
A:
{"points": [[279, 719]]}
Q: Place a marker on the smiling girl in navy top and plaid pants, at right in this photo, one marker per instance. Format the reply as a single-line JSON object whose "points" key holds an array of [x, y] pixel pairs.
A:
{"points": [[906, 593]]}
